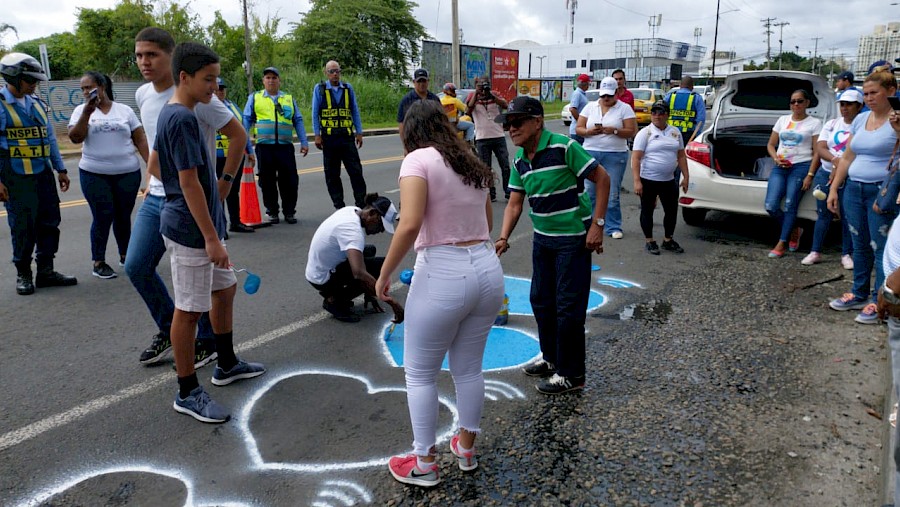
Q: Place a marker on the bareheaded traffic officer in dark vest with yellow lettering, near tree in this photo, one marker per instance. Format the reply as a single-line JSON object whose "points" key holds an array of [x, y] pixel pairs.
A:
{"points": [[335, 119]]}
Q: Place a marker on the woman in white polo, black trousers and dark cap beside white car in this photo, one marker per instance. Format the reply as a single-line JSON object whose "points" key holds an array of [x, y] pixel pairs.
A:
{"points": [[658, 151]]}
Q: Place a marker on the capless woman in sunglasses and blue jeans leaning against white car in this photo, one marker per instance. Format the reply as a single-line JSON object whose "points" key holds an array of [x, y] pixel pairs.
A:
{"points": [[791, 145]]}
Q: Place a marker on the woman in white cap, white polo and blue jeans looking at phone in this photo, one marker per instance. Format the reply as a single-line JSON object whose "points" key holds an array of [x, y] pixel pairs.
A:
{"points": [[606, 126]]}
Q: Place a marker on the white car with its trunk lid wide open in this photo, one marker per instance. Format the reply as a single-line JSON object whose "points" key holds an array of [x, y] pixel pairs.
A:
{"points": [[728, 160]]}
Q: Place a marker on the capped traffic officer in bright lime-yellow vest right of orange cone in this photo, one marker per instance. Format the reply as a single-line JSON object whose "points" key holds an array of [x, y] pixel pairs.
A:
{"points": [[276, 117]]}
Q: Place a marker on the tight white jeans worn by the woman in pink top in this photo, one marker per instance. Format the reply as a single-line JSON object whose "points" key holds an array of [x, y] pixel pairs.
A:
{"points": [[453, 300]]}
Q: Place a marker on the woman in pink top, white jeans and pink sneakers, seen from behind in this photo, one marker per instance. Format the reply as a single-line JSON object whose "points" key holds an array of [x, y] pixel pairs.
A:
{"points": [[457, 288]]}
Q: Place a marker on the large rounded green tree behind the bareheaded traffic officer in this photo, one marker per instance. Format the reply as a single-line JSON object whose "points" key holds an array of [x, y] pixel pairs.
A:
{"points": [[376, 37]]}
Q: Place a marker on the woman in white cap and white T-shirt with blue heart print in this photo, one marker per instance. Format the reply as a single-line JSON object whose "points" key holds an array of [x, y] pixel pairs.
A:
{"points": [[833, 142]]}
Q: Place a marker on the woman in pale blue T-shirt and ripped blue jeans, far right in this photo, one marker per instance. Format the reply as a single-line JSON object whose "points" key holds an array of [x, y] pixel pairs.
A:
{"points": [[873, 137]]}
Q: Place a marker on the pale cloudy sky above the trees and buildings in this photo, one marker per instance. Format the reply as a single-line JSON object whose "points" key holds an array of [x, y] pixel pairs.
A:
{"points": [[497, 22]]}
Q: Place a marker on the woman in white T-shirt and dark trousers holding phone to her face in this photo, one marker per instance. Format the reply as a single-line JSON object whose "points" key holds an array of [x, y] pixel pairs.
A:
{"points": [[109, 170]]}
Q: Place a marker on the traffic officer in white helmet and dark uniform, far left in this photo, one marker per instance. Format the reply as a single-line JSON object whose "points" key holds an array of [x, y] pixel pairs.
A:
{"points": [[28, 156]]}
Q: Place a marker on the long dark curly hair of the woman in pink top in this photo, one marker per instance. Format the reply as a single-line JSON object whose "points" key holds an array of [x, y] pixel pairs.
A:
{"points": [[426, 125]]}
